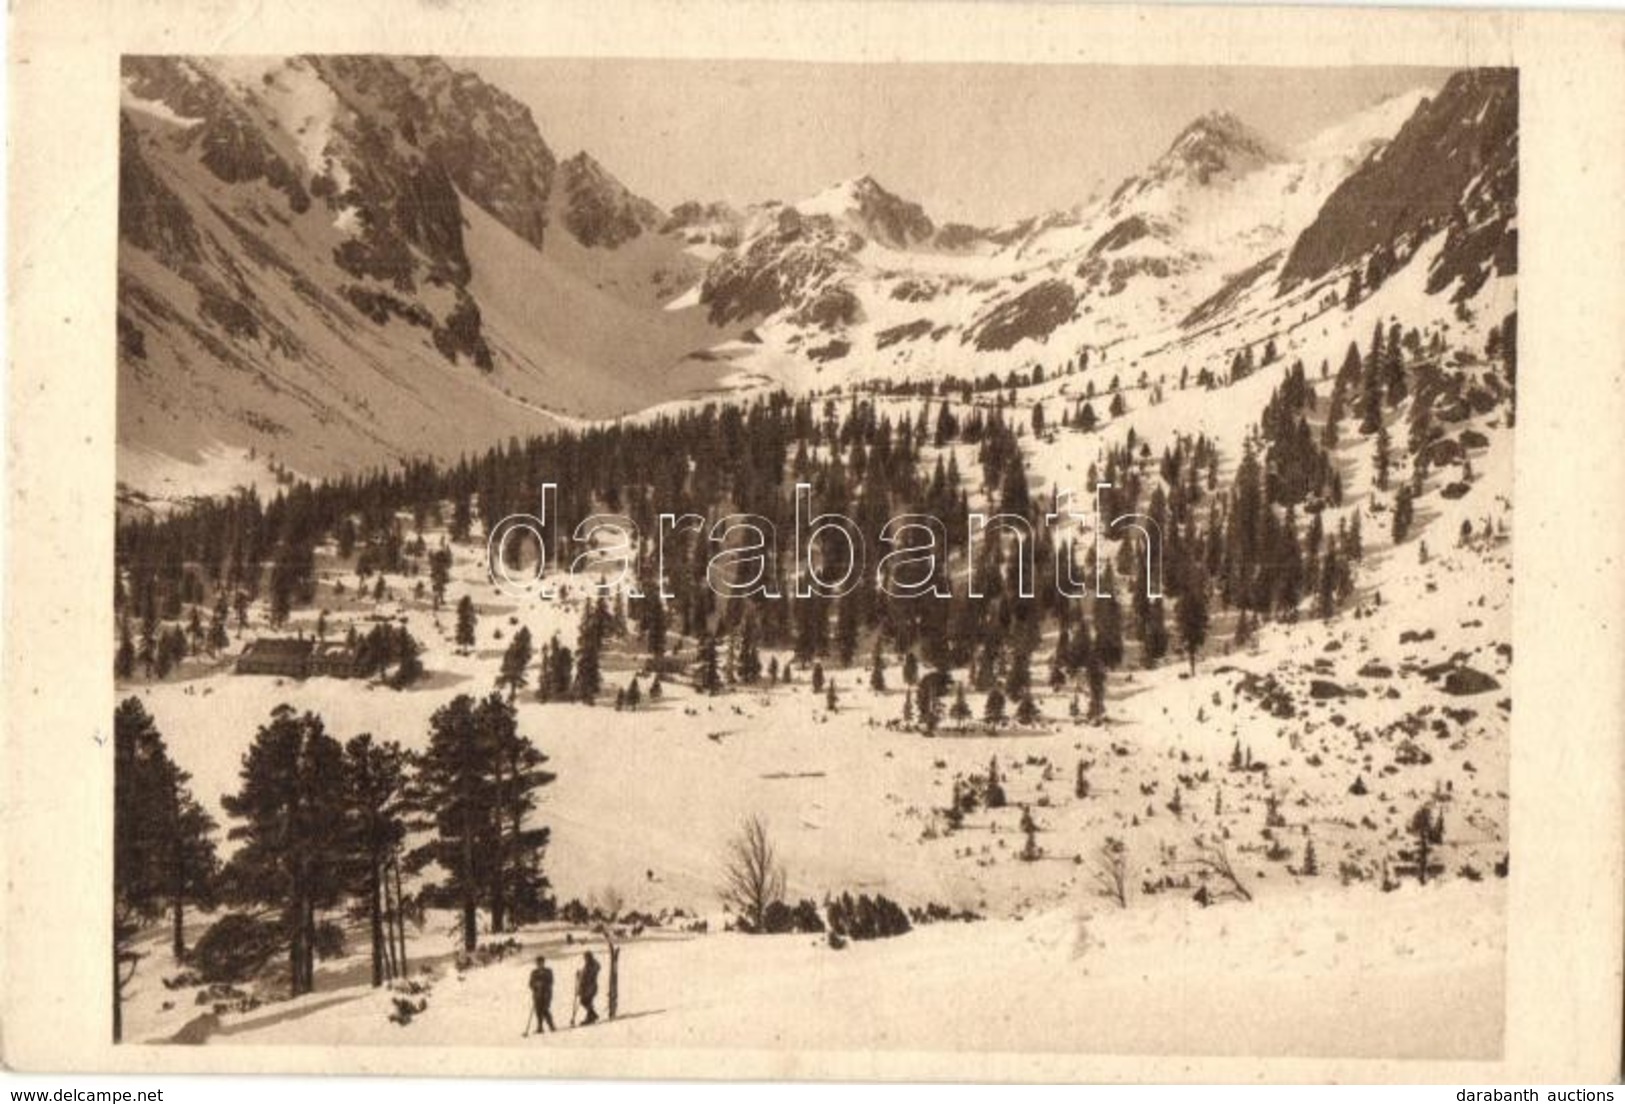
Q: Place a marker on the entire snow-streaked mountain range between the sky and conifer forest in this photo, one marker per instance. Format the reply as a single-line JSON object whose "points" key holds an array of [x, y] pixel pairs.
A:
{"points": [[321, 258]]}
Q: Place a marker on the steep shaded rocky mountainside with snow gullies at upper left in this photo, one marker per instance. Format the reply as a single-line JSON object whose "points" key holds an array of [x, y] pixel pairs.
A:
{"points": [[323, 259]]}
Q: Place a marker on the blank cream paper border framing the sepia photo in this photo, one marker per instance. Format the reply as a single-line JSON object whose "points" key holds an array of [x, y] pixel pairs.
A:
{"points": [[1564, 978]]}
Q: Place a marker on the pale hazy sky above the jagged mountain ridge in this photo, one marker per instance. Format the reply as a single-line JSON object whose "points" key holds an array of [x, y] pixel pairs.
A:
{"points": [[977, 144]]}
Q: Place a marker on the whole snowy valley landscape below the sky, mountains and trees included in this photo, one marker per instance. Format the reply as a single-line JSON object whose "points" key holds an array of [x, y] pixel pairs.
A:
{"points": [[1252, 798]]}
